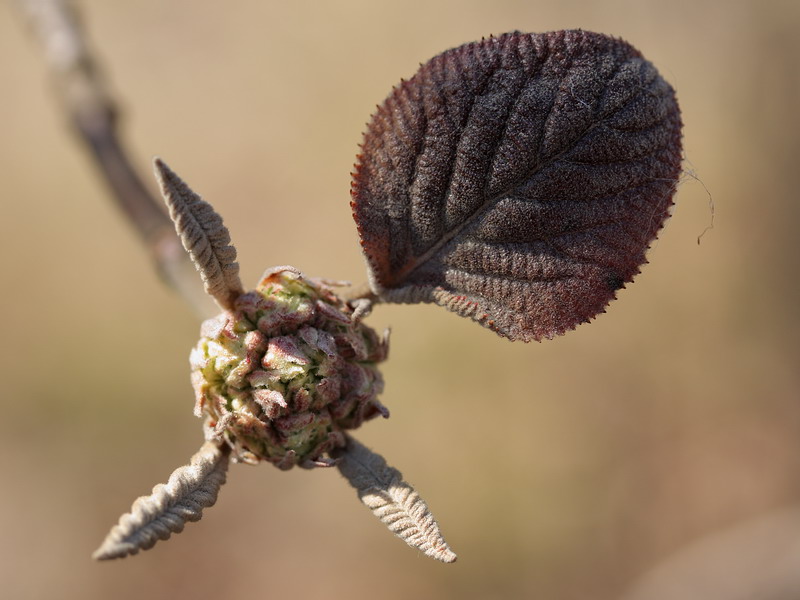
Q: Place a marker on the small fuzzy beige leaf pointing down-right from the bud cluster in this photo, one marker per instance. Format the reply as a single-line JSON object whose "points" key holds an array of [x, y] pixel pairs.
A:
{"points": [[398, 506]]}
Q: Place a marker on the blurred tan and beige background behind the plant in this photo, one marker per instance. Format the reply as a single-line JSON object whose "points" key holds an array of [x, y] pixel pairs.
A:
{"points": [[654, 453]]}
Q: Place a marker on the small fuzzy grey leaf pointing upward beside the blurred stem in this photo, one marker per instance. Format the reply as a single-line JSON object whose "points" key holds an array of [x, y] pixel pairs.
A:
{"points": [[204, 236]]}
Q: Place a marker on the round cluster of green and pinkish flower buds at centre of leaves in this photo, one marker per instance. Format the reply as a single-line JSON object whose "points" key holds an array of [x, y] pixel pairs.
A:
{"points": [[286, 371]]}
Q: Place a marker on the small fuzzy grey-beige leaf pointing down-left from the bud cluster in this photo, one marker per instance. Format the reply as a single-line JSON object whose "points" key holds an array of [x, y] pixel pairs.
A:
{"points": [[188, 491]]}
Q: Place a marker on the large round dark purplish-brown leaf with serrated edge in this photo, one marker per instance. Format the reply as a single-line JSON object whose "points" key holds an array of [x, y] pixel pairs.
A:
{"points": [[518, 180]]}
